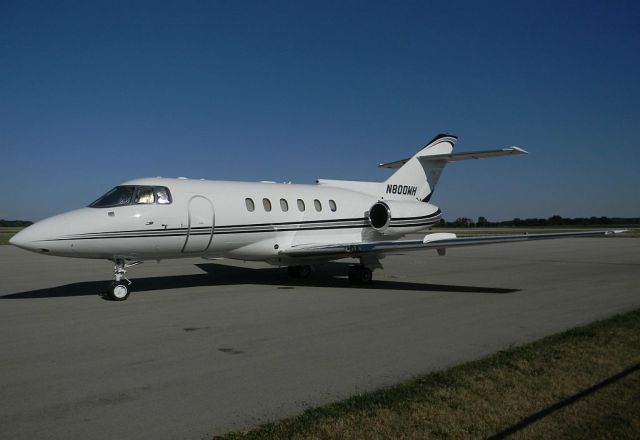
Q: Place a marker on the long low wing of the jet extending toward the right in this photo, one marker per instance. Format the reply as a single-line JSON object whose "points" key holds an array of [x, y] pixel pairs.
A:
{"points": [[439, 241]]}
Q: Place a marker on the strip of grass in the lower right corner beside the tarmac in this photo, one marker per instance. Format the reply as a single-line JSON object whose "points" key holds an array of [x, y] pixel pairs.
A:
{"points": [[584, 383]]}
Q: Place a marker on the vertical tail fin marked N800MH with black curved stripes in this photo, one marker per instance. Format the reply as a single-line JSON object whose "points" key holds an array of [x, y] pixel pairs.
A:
{"points": [[417, 177]]}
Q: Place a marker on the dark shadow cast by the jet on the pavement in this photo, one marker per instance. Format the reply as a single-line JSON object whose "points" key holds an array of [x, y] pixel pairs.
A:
{"points": [[331, 275]]}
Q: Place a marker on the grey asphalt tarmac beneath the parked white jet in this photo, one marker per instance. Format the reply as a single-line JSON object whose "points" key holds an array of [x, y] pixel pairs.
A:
{"points": [[201, 348]]}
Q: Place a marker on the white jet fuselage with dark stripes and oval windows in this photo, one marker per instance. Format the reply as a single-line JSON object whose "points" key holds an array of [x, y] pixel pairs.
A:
{"points": [[239, 220]]}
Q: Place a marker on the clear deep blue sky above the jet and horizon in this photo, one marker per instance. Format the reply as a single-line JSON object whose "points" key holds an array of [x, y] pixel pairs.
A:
{"points": [[95, 93]]}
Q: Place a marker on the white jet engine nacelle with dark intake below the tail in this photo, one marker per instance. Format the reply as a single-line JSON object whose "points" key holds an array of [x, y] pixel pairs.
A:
{"points": [[394, 217]]}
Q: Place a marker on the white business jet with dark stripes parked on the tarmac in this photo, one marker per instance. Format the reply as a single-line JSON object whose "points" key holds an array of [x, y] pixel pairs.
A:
{"points": [[283, 224]]}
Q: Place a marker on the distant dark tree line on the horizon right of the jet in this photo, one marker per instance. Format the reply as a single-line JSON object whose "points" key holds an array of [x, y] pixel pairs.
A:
{"points": [[555, 220]]}
